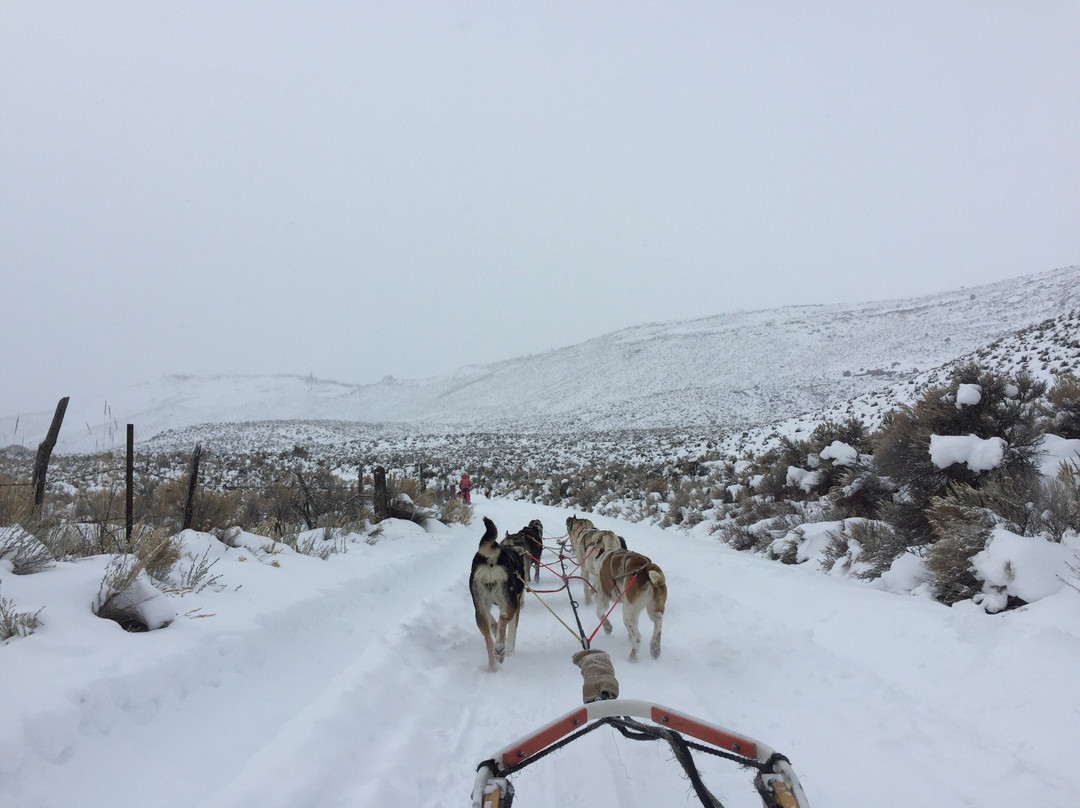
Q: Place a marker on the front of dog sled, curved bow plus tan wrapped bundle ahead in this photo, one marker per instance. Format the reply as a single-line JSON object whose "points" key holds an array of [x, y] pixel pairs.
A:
{"points": [[775, 780]]}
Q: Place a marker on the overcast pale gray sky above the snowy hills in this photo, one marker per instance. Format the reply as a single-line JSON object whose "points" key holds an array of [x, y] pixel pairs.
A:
{"points": [[356, 190]]}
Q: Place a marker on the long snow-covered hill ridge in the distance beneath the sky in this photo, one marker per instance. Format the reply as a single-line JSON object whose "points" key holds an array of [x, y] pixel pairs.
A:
{"points": [[725, 373]]}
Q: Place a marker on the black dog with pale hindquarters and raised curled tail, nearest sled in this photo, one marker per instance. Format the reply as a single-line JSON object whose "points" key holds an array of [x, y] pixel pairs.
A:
{"points": [[496, 582]]}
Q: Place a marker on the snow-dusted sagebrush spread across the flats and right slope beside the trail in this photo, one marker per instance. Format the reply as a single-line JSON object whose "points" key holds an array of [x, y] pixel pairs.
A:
{"points": [[915, 479]]}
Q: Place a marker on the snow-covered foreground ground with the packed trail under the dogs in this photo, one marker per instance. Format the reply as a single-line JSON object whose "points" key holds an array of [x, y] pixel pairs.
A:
{"points": [[361, 681]]}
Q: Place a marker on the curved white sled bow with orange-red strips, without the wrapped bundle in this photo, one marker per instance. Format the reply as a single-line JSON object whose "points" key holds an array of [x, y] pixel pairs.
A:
{"points": [[781, 782]]}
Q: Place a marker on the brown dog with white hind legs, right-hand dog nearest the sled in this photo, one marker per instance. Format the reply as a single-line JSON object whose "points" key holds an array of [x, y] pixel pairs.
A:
{"points": [[646, 589]]}
